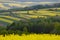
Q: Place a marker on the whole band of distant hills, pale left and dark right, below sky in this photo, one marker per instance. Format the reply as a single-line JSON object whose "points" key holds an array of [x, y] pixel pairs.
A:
{"points": [[17, 6]]}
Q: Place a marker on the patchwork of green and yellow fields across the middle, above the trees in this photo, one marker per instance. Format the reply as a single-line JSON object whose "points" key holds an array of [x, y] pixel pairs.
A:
{"points": [[7, 18]]}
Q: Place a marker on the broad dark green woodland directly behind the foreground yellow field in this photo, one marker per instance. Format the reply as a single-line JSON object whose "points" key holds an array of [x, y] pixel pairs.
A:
{"points": [[49, 25]]}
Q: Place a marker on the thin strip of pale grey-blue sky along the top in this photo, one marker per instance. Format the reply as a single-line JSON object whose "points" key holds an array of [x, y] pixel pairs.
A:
{"points": [[29, 0]]}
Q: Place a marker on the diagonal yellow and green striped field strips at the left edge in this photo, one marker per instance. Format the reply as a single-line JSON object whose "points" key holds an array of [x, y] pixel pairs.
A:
{"points": [[5, 20]]}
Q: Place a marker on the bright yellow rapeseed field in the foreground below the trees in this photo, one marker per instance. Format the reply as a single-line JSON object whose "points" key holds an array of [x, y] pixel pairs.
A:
{"points": [[31, 37]]}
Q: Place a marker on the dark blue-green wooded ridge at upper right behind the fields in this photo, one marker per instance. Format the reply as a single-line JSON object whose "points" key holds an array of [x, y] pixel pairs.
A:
{"points": [[40, 6]]}
